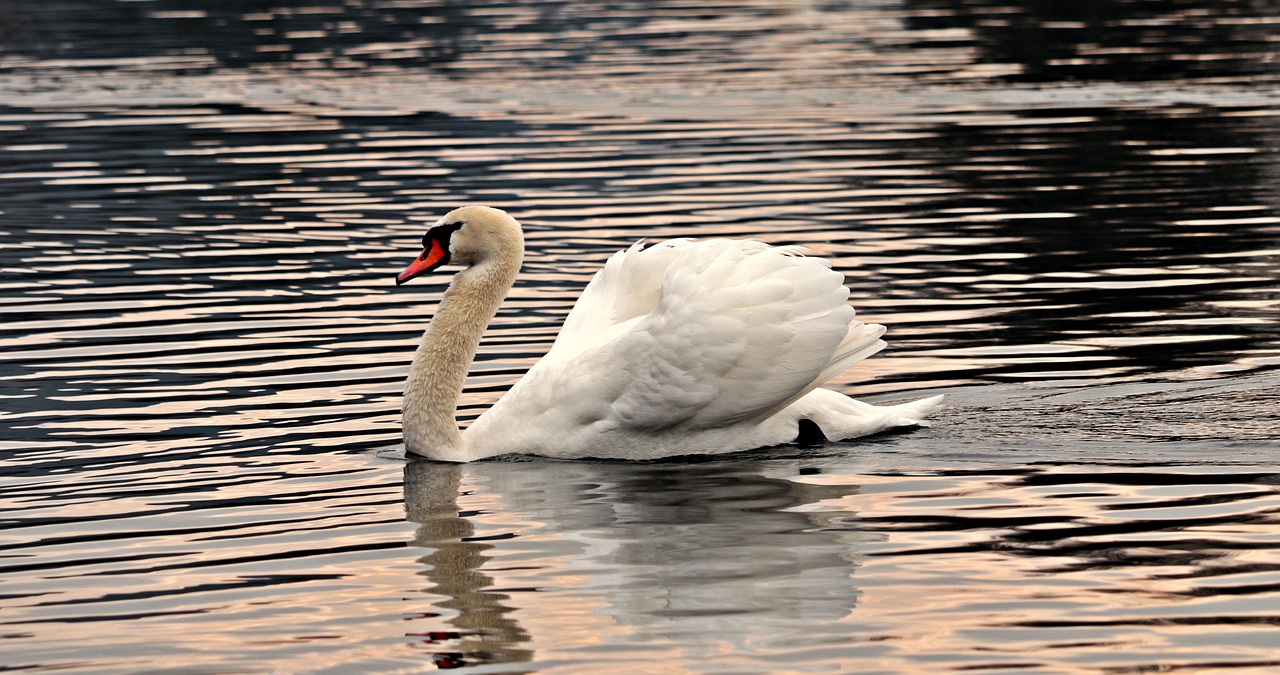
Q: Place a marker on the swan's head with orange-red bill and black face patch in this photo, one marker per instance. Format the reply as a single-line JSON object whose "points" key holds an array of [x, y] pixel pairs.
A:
{"points": [[468, 236]]}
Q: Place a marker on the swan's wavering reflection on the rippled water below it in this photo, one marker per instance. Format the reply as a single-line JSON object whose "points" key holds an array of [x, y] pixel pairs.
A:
{"points": [[740, 554]]}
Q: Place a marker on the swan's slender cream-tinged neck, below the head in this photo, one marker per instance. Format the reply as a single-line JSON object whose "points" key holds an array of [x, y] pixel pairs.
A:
{"points": [[445, 357]]}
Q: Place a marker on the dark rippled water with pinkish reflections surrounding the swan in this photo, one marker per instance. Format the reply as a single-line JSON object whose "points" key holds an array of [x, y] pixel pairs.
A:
{"points": [[1067, 215]]}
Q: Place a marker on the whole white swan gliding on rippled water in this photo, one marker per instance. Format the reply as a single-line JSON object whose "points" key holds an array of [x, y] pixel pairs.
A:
{"points": [[684, 348]]}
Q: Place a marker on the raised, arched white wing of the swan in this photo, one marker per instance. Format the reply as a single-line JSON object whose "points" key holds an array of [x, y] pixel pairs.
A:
{"points": [[703, 335]]}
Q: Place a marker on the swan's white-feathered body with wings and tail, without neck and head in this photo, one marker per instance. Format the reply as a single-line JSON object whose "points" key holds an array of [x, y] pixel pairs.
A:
{"points": [[693, 348]]}
